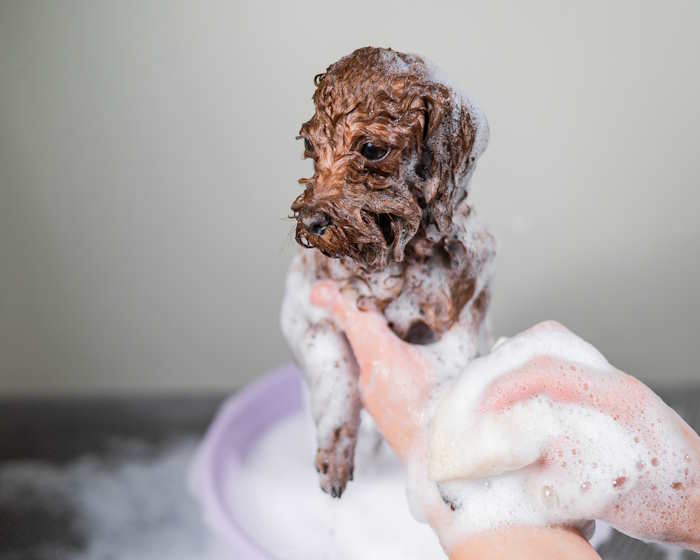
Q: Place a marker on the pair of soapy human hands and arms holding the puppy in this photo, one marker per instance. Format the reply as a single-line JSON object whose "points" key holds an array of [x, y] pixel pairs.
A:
{"points": [[660, 500]]}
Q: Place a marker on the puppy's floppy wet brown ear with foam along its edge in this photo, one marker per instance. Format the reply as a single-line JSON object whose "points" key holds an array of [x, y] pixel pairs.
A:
{"points": [[448, 154]]}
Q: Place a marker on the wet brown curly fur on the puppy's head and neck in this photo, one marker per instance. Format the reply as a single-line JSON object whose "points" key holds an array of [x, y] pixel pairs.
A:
{"points": [[380, 213]]}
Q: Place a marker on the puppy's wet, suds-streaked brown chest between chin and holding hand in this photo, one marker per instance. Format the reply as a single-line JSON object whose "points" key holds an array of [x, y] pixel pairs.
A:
{"points": [[420, 299]]}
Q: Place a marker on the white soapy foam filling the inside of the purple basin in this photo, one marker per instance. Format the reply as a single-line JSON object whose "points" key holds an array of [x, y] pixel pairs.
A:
{"points": [[276, 500]]}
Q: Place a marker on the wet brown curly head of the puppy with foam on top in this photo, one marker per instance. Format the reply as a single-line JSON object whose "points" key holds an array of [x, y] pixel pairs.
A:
{"points": [[393, 149]]}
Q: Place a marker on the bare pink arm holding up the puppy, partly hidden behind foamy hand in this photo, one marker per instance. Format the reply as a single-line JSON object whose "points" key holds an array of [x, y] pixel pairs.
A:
{"points": [[385, 361]]}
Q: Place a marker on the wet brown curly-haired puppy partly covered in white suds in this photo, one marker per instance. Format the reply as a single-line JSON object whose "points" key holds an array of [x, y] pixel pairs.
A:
{"points": [[386, 216]]}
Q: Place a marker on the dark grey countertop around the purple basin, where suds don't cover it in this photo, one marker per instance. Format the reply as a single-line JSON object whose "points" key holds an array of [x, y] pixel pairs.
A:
{"points": [[59, 431]]}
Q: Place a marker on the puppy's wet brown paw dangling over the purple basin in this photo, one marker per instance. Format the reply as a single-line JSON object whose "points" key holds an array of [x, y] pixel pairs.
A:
{"points": [[335, 463]]}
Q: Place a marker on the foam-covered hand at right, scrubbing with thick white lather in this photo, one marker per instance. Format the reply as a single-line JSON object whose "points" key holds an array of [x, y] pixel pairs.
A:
{"points": [[544, 431]]}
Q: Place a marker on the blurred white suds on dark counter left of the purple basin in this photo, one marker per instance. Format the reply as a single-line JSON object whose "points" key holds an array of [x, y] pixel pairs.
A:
{"points": [[131, 505]]}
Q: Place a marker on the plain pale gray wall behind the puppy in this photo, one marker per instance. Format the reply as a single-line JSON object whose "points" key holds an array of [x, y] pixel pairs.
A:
{"points": [[148, 160]]}
